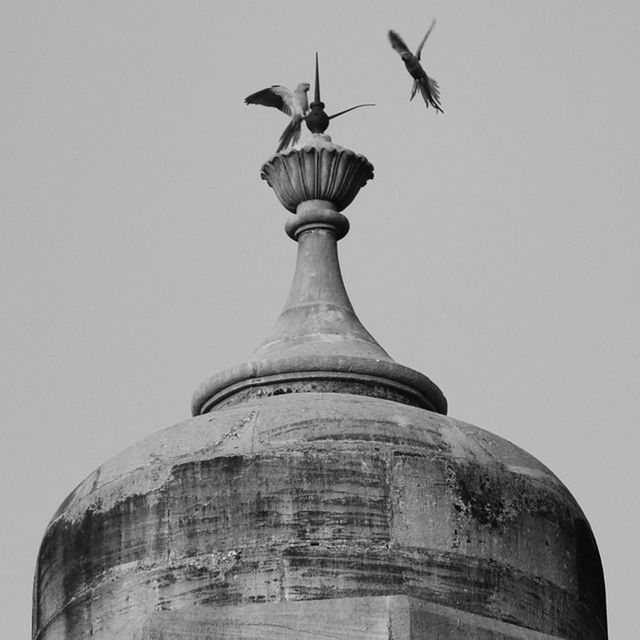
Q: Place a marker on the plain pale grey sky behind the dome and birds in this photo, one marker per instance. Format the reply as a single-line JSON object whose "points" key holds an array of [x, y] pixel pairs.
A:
{"points": [[496, 249]]}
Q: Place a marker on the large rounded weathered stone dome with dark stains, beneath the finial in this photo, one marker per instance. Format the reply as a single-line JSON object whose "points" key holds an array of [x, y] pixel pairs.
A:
{"points": [[318, 498]]}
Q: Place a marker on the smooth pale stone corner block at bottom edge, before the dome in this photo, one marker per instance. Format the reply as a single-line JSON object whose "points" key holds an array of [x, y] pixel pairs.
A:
{"points": [[368, 618]]}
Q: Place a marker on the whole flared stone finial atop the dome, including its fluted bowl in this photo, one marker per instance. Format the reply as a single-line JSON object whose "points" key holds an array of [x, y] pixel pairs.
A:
{"points": [[318, 344]]}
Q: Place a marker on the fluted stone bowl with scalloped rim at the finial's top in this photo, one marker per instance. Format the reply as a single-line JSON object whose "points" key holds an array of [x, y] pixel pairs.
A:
{"points": [[320, 170]]}
